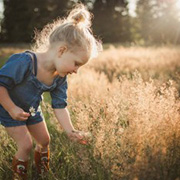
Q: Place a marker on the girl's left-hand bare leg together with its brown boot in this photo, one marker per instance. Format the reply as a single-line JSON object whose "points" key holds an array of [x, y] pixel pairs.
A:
{"points": [[24, 143]]}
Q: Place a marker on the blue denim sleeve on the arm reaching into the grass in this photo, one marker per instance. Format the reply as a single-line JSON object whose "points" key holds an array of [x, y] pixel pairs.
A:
{"points": [[59, 95]]}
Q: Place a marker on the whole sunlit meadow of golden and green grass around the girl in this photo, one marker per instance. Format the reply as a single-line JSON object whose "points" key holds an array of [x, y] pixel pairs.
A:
{"points": [[128, 98]]}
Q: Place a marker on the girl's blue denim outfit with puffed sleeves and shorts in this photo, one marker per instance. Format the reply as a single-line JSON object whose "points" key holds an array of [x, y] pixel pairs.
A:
{"points": [[18, 76]]}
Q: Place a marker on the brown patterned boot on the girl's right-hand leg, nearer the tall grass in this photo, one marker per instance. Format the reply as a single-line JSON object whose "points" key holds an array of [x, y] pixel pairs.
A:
{"points": [[42, 161]]}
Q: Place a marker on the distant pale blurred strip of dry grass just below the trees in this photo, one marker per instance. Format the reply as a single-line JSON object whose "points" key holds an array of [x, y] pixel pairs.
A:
{"points": [[161, 63]]}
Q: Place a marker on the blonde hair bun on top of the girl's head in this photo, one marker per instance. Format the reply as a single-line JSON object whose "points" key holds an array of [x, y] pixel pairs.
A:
{"points": [[80, 16]]}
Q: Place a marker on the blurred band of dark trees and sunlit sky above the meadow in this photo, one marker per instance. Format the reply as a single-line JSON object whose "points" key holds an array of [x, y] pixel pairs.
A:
{"points": [[141, 22]]}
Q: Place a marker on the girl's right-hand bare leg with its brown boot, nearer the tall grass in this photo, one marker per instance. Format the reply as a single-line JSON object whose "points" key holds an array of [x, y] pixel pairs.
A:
{"points": [[41, 155]]}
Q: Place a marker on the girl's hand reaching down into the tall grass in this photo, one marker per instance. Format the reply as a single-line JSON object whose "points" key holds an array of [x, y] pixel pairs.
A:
{"points": [[80, 136]]}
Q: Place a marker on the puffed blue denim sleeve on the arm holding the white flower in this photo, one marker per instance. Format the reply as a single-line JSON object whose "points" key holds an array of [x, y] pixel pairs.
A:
{"points": [[14, 71]]}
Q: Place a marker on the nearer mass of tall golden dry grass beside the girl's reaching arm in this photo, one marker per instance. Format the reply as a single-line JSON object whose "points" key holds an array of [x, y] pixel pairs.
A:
{"points": [[135, 124]]}
